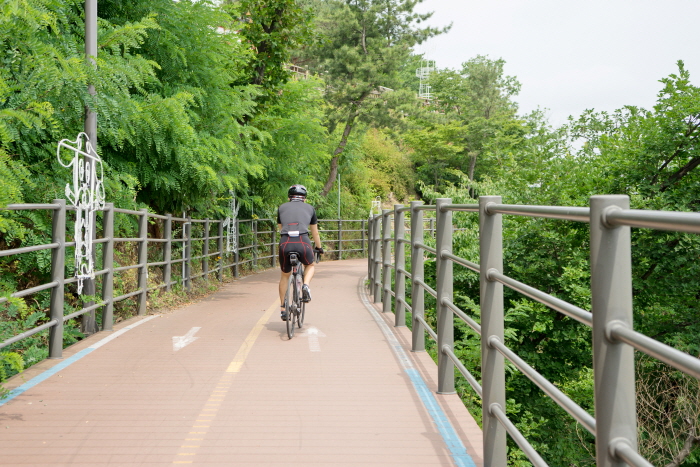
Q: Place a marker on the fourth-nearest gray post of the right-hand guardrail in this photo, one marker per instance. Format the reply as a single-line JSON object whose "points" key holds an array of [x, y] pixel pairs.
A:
{"points": [[417, 272]]}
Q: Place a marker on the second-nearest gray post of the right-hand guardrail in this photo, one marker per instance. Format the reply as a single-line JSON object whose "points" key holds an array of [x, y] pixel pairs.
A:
{"points": [[492, 365]]}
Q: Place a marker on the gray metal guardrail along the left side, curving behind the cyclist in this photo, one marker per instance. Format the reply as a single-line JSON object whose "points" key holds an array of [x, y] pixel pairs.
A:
{"points": [[257, 241]]}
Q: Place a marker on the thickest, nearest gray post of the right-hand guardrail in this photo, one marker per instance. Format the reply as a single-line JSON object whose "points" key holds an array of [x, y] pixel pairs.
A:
{"points": [[611, 301]]}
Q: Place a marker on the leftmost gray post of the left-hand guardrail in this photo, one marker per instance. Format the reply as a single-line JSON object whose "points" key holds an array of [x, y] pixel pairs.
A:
{"points": [[58, 270]]}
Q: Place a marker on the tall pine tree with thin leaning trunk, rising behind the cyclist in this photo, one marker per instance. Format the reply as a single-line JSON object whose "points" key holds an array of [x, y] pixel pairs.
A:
{"points": [[362, 47]]}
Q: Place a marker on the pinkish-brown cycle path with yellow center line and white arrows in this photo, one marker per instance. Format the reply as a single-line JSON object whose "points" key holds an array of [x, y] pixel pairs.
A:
{"points": [[241, 393]]}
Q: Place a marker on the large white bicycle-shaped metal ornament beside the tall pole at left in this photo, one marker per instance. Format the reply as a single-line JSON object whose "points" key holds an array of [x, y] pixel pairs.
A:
{"points": [[87, 195]]}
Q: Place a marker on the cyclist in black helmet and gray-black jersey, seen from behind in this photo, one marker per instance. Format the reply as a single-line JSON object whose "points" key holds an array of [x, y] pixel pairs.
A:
{"points": [[294, 220]]}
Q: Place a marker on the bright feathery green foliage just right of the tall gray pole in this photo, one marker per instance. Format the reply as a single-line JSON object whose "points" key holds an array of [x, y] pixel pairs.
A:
{"points": [[179, 131]]}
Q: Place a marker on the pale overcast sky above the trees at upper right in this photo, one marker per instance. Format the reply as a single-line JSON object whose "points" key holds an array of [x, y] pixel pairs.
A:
{"points": [[572, 55]]}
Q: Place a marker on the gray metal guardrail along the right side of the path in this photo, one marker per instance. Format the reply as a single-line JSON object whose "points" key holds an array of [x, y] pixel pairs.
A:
{"points": [[614, 339]]}
